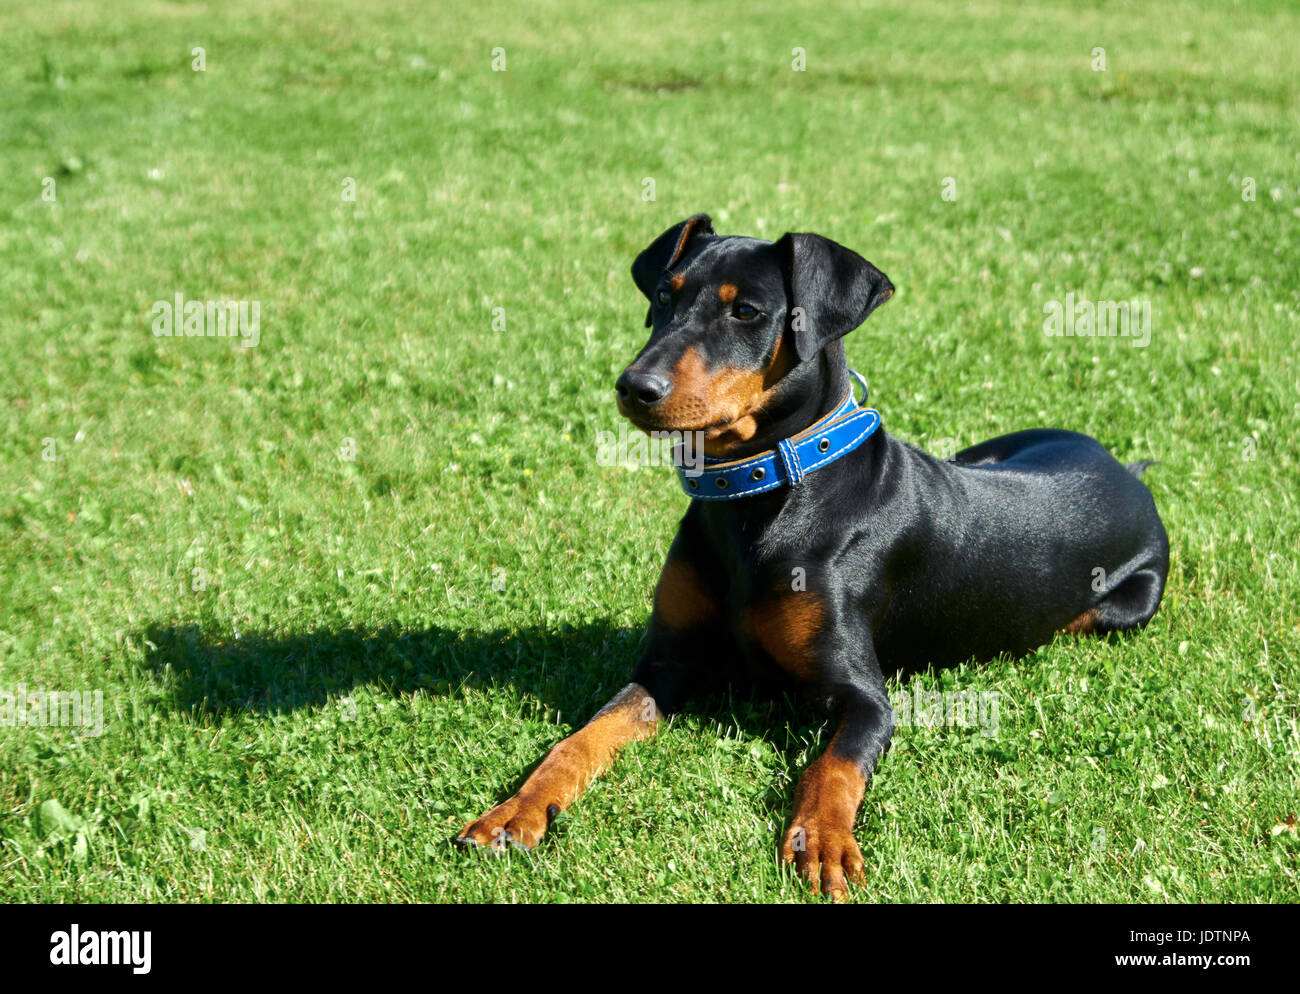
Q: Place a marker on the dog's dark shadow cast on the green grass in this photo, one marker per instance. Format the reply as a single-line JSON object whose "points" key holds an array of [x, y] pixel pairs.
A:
{"points": [[570, 670]]}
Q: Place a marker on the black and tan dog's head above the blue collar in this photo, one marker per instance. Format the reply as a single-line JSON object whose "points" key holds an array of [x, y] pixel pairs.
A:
{"points": [[738, 325]]}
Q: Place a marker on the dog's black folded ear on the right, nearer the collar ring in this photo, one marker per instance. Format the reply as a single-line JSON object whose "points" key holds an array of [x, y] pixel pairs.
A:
{"points": [[833, 290]]}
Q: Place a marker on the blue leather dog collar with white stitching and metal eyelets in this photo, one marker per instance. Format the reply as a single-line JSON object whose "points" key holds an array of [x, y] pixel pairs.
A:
{"points": [[821, 444]]}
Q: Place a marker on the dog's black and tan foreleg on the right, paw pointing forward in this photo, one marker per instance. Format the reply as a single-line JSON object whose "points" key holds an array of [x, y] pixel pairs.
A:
{"points": [[821, 841]]}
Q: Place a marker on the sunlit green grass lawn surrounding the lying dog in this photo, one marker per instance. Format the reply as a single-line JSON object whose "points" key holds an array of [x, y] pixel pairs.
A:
{"points": [[350, 687]]}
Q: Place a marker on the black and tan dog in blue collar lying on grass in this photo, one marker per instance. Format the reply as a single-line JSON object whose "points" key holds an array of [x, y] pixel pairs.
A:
{"points": [[824, 575]]}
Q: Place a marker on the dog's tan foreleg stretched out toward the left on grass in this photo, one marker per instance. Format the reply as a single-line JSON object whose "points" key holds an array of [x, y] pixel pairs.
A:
{"points": [[566, 772]]}
